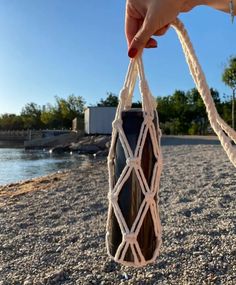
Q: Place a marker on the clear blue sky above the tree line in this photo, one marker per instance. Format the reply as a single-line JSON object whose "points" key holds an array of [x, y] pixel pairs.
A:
{"points": [[60, 47]]}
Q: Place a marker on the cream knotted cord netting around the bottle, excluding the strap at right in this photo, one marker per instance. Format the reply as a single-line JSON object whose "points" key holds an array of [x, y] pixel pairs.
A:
{"points": [[133, 162]]}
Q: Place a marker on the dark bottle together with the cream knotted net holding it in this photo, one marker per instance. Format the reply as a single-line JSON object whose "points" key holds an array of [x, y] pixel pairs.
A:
{"points": [[135, 164]]}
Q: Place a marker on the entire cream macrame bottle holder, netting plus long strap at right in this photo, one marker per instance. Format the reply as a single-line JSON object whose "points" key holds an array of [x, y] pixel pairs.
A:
{"points": [[150, 125]]}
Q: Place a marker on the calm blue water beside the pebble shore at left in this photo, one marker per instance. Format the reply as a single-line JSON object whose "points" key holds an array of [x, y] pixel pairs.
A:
{"points": [[16, 164]]}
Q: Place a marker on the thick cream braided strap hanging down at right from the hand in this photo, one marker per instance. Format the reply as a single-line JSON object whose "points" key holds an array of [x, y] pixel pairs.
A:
{"points": [[224, 132]]}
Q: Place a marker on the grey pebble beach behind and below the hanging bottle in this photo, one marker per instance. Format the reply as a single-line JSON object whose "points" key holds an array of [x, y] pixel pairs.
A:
{"points": [[52, 229]]}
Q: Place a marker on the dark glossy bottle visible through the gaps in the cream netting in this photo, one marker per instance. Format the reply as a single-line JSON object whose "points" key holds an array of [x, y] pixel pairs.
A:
{"points": [[131, 196]]}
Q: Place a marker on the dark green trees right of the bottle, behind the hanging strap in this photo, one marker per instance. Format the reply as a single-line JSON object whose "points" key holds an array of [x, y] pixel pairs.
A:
{"points": [[185, 112]]}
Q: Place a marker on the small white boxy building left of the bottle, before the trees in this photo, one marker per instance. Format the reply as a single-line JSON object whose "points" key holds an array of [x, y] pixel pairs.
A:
{"points": [[98, 120]]}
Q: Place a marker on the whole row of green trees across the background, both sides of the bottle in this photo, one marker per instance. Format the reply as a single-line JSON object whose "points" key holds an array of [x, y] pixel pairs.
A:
{"points": [[180, 113]]}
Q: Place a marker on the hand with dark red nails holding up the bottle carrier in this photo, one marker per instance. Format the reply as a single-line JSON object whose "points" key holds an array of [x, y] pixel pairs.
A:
{"points": [[145, 18]]}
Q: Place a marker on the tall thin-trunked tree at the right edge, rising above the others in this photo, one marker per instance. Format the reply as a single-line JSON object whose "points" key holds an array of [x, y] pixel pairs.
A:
{"points": [[229, 78]]}
